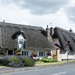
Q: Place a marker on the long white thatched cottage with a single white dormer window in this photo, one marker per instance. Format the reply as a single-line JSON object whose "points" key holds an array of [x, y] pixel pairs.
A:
{"points": [[27, 39]]}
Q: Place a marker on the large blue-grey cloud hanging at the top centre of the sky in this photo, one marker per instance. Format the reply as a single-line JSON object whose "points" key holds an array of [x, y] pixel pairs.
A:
{"points": [[39, 7]]}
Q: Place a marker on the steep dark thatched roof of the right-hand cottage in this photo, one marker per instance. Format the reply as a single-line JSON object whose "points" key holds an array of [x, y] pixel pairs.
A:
{"points": [[65, 36]]}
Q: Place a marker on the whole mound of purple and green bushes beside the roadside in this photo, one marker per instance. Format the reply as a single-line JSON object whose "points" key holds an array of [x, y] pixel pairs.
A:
{"points": [[18, 61]]}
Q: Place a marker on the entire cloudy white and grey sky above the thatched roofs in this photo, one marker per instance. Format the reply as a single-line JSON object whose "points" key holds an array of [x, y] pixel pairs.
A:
{"points": [[60, 13]]}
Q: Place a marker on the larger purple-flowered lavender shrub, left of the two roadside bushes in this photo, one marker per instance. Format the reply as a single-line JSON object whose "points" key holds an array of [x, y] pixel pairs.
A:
{"points": [[12, 61]]}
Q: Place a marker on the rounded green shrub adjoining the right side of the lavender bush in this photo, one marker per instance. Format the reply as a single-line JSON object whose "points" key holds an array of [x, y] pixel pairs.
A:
{"points": [[28, 61]]}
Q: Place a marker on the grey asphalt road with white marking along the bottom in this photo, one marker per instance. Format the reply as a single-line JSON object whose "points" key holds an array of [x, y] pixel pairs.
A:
{"points": [[58, 70]]}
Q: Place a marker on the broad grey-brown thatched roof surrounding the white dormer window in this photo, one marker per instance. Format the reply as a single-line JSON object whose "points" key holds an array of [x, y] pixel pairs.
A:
{"points": [[35, 37]]}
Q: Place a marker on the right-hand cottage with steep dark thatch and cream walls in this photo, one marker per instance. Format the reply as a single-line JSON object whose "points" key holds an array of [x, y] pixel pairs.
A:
{"points": [[61, 38]]}
